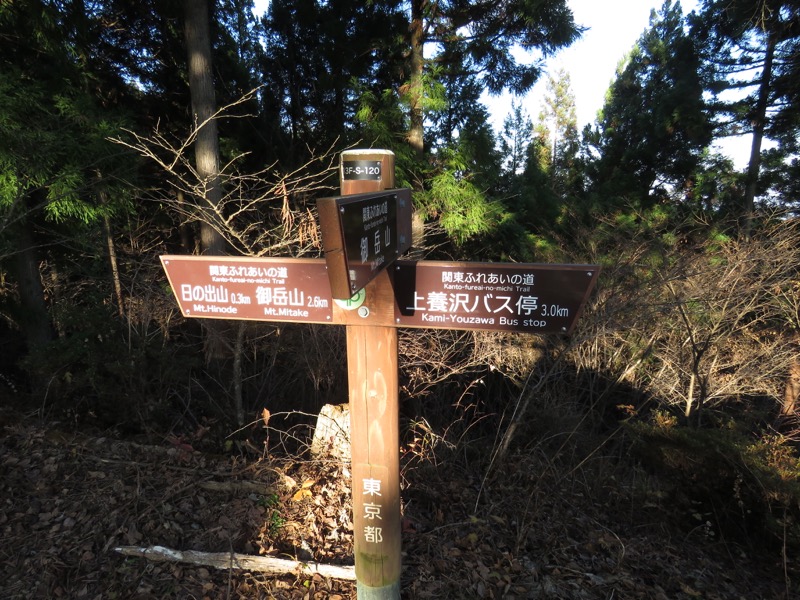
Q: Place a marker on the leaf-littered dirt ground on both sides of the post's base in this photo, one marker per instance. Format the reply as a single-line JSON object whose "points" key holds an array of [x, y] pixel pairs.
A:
{"points": [[68, 500]]}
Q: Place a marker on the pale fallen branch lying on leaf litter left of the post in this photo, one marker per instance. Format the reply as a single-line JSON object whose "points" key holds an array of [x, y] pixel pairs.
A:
{"points": [[228, 560]]}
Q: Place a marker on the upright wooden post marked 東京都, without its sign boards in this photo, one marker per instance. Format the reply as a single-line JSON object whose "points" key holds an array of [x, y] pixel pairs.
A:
{"points": [[372, 374]]}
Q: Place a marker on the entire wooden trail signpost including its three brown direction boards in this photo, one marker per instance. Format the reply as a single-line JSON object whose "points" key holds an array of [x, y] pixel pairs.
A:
{"points": [[363, 284]]}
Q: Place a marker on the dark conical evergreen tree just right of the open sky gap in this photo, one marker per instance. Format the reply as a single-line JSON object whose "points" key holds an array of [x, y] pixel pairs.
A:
{"points": [[654, 126]]}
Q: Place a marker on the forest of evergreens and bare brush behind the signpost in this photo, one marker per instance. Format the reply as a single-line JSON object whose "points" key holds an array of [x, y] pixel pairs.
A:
{"points": [[132, 130]]}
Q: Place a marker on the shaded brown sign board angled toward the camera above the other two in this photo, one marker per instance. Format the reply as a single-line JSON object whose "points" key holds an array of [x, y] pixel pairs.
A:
{"points": [[362, 234]]}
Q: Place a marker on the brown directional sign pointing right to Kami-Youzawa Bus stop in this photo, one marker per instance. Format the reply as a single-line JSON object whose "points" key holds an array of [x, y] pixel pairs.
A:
{"points": [[528, 298]]}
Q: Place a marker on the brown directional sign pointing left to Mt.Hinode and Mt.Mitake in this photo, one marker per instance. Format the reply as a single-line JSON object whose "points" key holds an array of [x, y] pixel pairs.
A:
{"points": [[254, 289]]}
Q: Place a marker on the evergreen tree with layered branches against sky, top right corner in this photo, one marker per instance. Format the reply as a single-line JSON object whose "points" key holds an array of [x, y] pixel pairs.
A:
{"points": [[751, 62]]}
